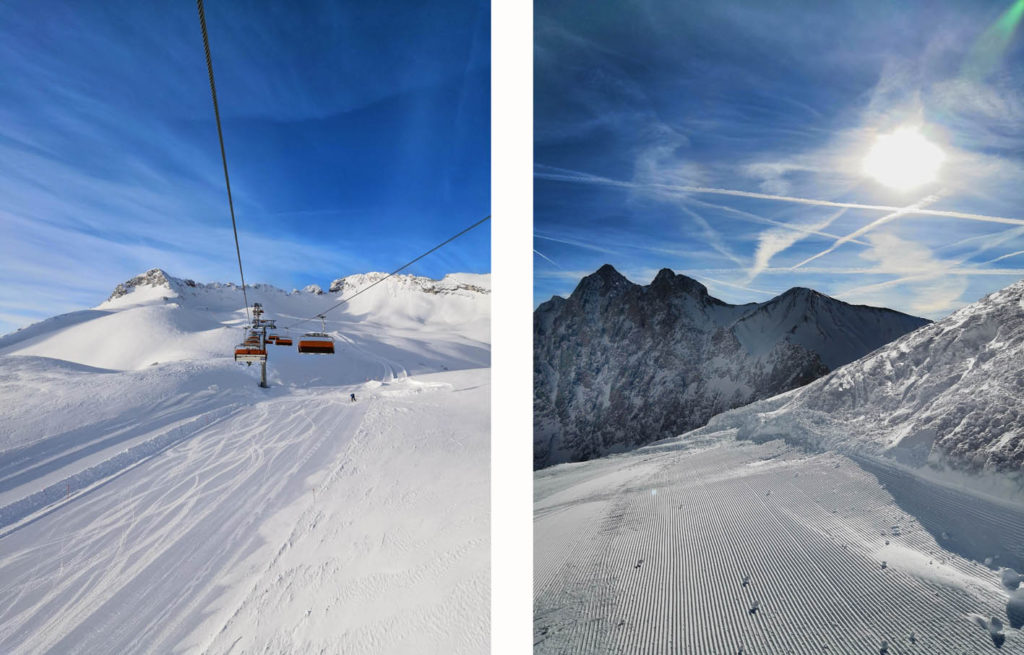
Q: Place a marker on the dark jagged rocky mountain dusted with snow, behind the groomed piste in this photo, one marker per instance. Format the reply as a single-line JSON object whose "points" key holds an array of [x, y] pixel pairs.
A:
{"points": [[619, 366]]}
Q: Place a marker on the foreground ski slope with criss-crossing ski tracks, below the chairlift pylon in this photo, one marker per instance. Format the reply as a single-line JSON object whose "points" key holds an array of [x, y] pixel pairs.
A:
{"points": [[300, 523]]}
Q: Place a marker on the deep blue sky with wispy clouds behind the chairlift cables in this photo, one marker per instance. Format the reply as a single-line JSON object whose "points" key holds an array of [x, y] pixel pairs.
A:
{"points": [[358, 137]]}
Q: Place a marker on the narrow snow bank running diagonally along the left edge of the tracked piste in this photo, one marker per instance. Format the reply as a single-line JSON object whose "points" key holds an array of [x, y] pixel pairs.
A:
{"points": [[58, 493]]}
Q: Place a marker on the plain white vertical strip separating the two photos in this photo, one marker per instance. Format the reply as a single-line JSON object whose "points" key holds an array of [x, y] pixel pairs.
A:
{"points": [[511, 440]]}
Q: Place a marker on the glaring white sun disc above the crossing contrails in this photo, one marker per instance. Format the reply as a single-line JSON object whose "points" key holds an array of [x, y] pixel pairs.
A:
{"points": [[904, 160]]}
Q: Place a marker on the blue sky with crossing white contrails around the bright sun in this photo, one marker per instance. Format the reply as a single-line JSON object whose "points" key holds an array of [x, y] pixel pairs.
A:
{"points": [[727, 141]]}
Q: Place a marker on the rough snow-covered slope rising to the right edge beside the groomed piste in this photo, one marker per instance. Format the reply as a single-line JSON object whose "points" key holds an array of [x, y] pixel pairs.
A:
{"points": [[947, 396]]}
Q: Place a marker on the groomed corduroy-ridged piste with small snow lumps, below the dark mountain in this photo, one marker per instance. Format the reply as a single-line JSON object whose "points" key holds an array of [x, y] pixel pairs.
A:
{"points": [[648, 553]]}
